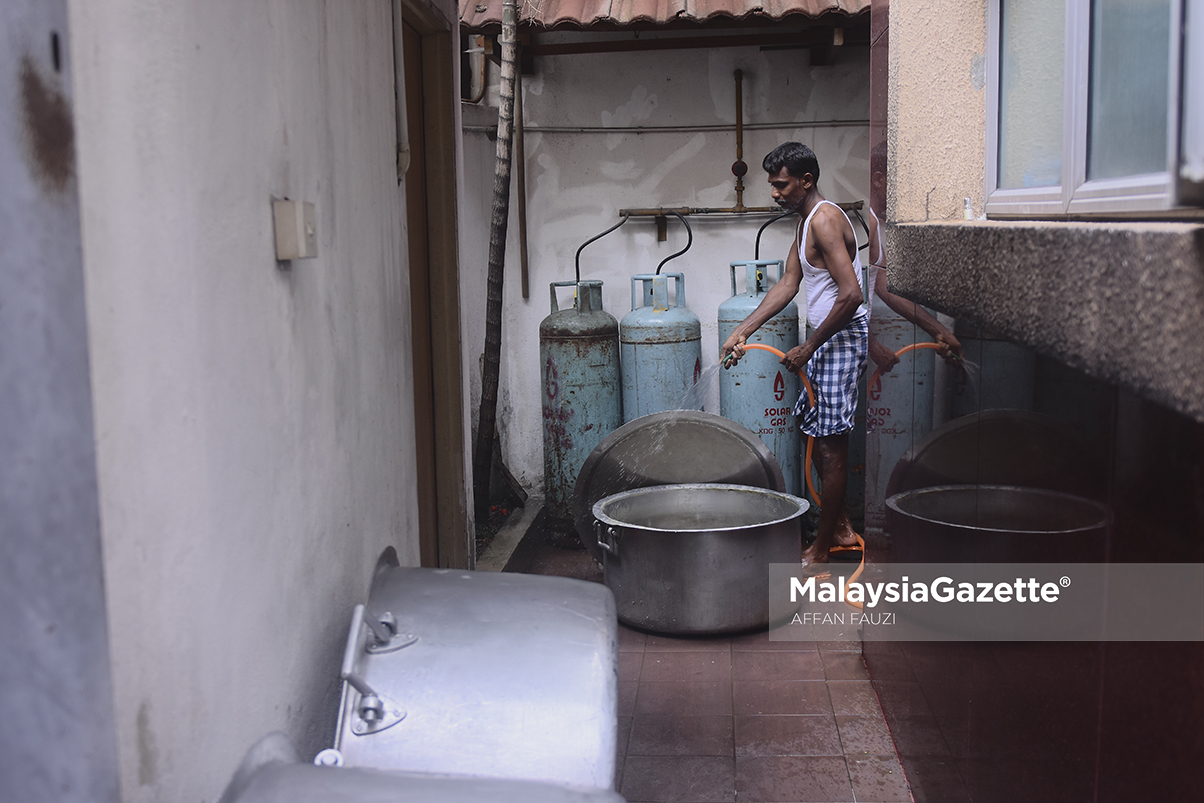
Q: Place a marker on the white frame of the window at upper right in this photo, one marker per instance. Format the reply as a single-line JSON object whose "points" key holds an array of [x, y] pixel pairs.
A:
{"points": [[1135, 194]]}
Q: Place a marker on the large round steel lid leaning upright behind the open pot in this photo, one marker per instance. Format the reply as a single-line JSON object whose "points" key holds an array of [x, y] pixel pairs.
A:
{"points": [[671, 448]]}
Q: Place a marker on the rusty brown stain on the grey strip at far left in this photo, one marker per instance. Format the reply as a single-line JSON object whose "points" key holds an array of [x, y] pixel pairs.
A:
{"points": [[50, 131]]}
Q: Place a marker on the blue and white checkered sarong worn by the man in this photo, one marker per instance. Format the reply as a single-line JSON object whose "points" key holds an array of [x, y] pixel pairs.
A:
{"points": [[834, 373]]}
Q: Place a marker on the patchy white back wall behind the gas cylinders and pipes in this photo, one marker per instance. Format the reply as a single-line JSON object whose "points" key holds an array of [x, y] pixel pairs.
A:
{"points": [[579, 182]]}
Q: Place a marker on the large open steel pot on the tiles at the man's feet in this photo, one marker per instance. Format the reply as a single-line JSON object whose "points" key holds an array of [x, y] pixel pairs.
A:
{"points": [[695, 559]]}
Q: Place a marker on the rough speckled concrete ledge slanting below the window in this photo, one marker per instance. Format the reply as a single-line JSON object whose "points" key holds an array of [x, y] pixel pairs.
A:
{"points": [[1119, 302]]}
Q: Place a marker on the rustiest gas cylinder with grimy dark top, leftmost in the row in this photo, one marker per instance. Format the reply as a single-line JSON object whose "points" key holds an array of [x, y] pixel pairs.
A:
{"points": [[581, 395]]}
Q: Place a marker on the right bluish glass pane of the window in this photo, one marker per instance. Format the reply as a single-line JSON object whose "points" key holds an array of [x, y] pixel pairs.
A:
{"points": [[1130, 58]]}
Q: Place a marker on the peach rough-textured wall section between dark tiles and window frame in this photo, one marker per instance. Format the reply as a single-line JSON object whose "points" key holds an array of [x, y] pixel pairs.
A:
{"points": [[937, 109]]}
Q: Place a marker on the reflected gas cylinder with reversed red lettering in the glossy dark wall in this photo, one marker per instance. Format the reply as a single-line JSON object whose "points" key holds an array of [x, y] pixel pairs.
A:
{"points": [[899, 408]]}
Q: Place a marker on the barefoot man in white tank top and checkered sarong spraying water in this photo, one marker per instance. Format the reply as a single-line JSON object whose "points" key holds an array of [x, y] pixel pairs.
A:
{"points": [[824, 256]]}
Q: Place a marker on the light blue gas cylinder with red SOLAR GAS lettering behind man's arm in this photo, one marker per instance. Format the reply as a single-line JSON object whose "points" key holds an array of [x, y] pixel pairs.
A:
{"points": [[758, 392]]}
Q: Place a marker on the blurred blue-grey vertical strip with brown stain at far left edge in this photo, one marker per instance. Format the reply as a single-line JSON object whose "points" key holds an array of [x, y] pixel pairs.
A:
{"points": [[57, 734]]}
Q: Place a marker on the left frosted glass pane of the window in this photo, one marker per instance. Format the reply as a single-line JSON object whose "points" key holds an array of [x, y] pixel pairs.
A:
{"points": [[1031, 67]]}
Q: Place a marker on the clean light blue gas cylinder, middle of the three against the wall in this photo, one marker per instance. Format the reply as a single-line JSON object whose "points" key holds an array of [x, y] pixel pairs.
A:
{"points": [[660, 347]]}
